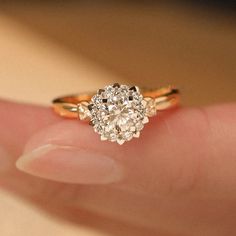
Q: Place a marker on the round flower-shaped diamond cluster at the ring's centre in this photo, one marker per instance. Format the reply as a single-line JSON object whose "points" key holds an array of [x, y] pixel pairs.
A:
{"points": [[118, 113]]}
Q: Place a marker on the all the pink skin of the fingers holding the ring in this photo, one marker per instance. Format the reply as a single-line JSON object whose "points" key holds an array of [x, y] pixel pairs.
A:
{"points": [[178, 178]]}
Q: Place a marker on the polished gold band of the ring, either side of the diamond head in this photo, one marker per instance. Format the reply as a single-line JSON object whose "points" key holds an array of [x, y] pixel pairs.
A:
{"points": [[67, 106]]}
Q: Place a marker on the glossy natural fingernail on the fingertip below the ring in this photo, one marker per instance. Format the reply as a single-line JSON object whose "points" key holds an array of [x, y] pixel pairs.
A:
{"points": [[70, 164]]}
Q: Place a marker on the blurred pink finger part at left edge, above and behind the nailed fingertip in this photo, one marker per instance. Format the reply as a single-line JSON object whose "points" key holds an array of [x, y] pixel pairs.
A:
{"points": [[19, 122]]}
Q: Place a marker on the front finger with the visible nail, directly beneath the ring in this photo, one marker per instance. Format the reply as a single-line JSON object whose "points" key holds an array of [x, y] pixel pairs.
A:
{"points": [[186, 150]]}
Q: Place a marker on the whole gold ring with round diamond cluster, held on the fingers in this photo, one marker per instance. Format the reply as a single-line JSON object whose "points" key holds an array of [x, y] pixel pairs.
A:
{"points": [[117, 112]]}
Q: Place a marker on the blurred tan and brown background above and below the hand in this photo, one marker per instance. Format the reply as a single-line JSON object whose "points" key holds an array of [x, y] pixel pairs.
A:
{"points": [[50, 48]]}
